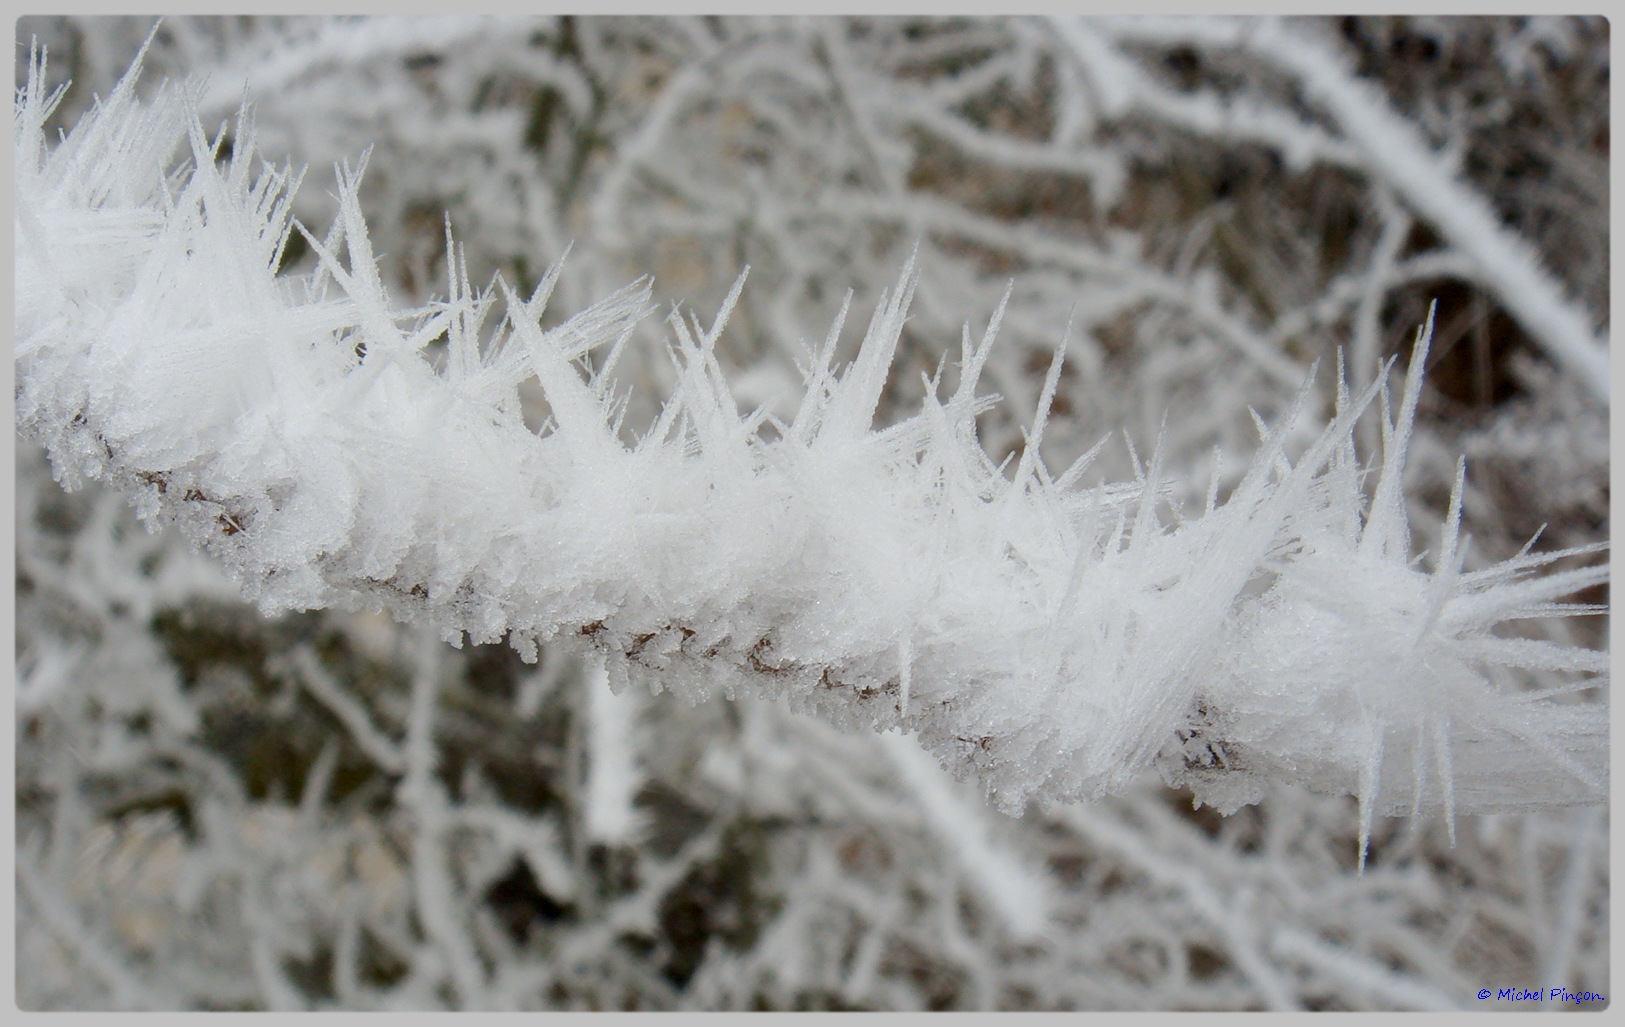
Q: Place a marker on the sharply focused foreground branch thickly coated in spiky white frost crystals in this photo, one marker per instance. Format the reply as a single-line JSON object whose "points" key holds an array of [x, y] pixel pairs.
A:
{"points": [[1051, 635]]}
